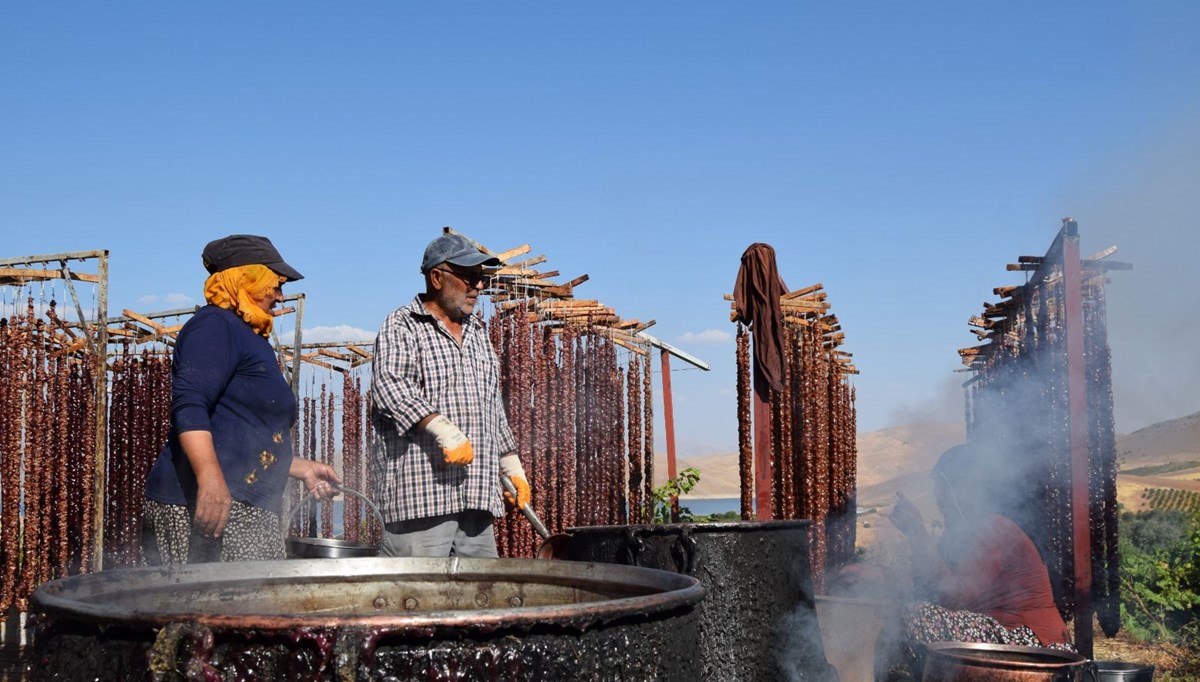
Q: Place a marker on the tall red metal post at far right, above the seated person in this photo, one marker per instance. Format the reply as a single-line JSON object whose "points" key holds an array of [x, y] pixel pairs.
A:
{"points": [[1077, 408]]}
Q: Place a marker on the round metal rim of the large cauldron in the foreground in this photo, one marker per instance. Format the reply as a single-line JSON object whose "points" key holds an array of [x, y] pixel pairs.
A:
{"points": [[676, 591]]}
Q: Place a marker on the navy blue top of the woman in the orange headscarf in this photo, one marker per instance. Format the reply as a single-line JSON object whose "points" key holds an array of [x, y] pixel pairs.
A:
{"points": [[227, 381]]}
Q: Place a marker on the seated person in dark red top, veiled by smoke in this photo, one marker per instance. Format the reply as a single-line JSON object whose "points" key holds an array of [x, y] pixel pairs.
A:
{"points": [[985, 579]]}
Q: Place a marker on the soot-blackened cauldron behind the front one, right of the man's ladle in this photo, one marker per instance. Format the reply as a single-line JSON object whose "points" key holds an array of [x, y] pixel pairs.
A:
{"points": [[759, 620]]}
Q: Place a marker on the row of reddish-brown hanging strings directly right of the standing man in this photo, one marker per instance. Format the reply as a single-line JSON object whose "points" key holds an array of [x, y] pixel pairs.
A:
{"points": [[581, 410]]}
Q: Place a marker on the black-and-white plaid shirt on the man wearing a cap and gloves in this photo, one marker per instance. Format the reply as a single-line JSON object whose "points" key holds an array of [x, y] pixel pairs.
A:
{"points": [[421, 369]]}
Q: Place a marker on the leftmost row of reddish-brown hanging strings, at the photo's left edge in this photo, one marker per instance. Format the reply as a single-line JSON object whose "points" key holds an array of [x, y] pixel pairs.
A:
{"points": [[47, 442]]}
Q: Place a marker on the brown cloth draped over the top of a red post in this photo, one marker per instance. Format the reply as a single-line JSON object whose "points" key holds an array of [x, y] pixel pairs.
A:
{"points": [[757, 304]]}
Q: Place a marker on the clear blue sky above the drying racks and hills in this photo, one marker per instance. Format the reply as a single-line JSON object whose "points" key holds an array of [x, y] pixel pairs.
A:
{"points": [[902, 154]]}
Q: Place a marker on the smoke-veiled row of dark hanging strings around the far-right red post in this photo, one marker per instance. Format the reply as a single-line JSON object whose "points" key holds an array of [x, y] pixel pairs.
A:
{"points": [[1017, 405]]}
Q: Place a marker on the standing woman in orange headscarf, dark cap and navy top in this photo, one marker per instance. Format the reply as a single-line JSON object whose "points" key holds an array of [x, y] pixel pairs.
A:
{"points": [[217, 490]]}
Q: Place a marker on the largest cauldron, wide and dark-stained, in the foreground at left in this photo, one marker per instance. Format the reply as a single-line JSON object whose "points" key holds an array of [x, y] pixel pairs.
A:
{"points": [[369, 619]]}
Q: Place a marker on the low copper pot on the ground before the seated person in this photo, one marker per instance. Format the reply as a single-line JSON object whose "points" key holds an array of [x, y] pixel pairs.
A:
{"points": [[969, 662]]}
